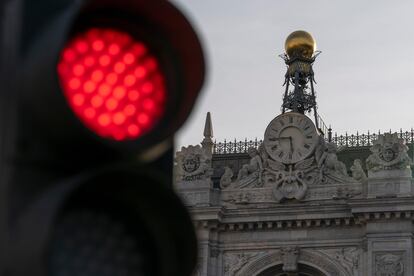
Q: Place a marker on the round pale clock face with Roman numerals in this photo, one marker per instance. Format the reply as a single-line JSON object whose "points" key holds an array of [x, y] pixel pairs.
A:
{"points": [[290, 137]]}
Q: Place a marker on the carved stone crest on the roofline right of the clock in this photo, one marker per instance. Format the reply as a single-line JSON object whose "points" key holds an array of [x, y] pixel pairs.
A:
{"points": [[388, 153]]}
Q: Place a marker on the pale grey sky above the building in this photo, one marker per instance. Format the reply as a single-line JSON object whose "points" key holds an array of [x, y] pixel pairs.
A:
{"points": [[364, 74]]}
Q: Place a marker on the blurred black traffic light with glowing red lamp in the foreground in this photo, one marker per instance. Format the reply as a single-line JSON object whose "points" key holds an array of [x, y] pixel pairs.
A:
{"points": [[102, 87]]}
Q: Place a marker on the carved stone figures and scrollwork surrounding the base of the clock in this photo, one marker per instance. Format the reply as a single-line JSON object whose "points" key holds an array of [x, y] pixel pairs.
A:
{"points": [[290, 181]]}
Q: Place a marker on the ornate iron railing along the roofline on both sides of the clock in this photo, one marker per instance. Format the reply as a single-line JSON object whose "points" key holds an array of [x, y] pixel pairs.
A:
{"points": [[353, 140]]}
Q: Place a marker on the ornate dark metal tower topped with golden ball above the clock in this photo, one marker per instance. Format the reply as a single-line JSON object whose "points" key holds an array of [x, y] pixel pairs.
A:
{"points": [[299, 57]]}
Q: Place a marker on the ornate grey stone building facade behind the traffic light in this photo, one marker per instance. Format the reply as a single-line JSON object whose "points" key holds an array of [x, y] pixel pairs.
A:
{"points": [[344, 210]]}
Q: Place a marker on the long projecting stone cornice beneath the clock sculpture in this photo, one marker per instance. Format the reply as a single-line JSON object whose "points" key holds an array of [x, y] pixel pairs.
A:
{"points": [[353, 213]]}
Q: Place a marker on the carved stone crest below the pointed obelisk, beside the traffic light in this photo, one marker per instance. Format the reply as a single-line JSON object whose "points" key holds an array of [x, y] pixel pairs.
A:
{"points": [[192, 163]]}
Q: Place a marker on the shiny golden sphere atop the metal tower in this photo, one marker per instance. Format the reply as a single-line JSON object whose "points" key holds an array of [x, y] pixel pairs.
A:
{"points": [[300, 43]]}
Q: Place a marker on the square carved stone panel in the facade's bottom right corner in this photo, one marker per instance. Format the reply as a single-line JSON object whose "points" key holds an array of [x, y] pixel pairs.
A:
{"points": [[389, 264]]}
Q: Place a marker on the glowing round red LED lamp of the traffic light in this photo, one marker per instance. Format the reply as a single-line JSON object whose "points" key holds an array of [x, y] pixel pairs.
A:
{"points": [[112, 83]]}
